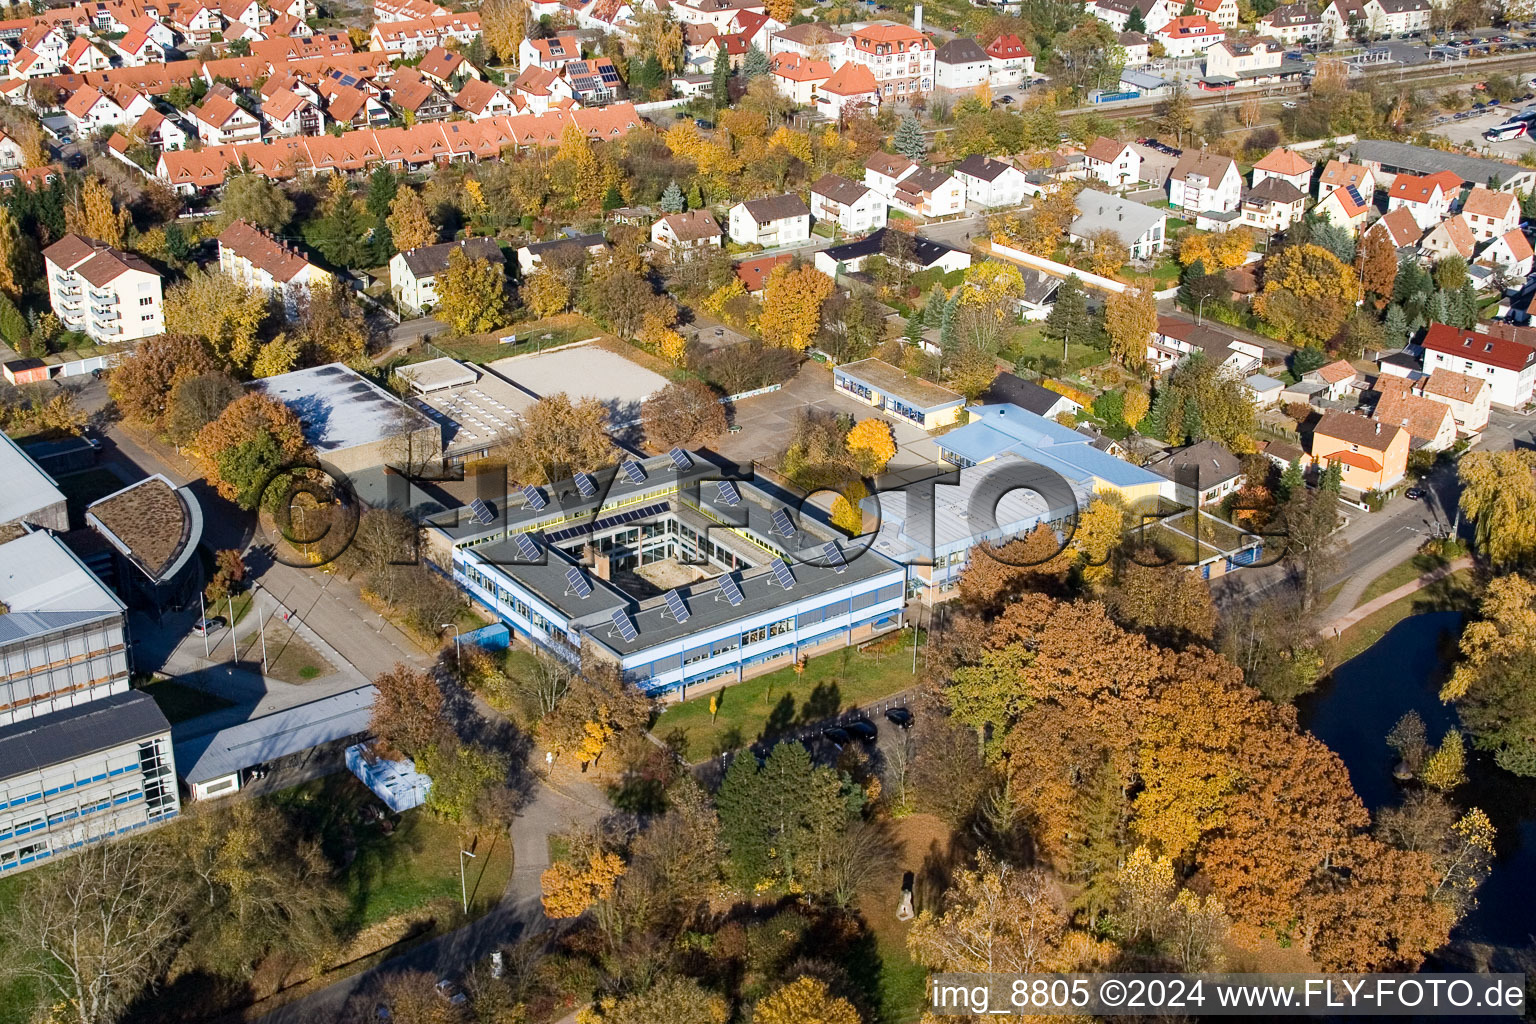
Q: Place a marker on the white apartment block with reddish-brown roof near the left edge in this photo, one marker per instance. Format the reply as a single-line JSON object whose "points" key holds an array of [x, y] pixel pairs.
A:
{"points": [[107, 294]]}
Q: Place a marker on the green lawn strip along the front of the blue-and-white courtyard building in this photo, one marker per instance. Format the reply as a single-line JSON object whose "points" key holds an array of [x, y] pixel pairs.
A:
{"points": [[783, 701]]}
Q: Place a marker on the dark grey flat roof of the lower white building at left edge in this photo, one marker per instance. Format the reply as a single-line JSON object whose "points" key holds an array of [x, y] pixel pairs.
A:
{"points": [[65, 736]]}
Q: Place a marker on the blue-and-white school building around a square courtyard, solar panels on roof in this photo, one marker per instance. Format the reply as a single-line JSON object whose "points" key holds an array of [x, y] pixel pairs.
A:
{"points": [[667, 573]]}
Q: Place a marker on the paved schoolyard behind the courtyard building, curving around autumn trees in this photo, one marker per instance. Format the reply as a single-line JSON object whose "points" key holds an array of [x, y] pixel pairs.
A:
{"points": [[769, 423]]}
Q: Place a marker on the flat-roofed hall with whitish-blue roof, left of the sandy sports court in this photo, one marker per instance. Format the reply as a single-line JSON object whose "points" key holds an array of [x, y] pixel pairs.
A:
{"points": [[353, 423]]}
